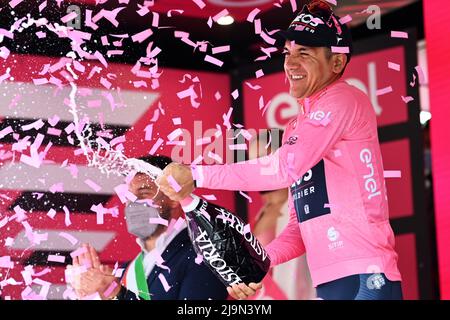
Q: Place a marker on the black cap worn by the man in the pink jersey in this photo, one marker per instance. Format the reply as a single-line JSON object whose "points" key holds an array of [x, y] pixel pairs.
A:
{"points": [[318, 29]]}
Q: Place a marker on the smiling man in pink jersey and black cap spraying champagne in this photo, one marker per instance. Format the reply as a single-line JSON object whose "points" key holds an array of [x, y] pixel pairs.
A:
{"points": [[330, 160]]}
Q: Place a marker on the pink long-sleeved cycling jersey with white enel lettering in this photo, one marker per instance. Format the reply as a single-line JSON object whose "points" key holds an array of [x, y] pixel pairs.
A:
{"points": [[331, 161]]}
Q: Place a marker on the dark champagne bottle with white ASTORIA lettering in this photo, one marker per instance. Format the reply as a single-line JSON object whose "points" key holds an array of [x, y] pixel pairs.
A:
{"points": [[231, 252]]}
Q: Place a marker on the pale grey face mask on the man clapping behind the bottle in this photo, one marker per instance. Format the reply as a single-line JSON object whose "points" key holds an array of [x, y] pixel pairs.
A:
{"points": [[137, 218]]}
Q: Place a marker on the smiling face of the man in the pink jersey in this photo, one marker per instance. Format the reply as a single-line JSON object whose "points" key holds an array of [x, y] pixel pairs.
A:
{"points": [[310, 69]]}
